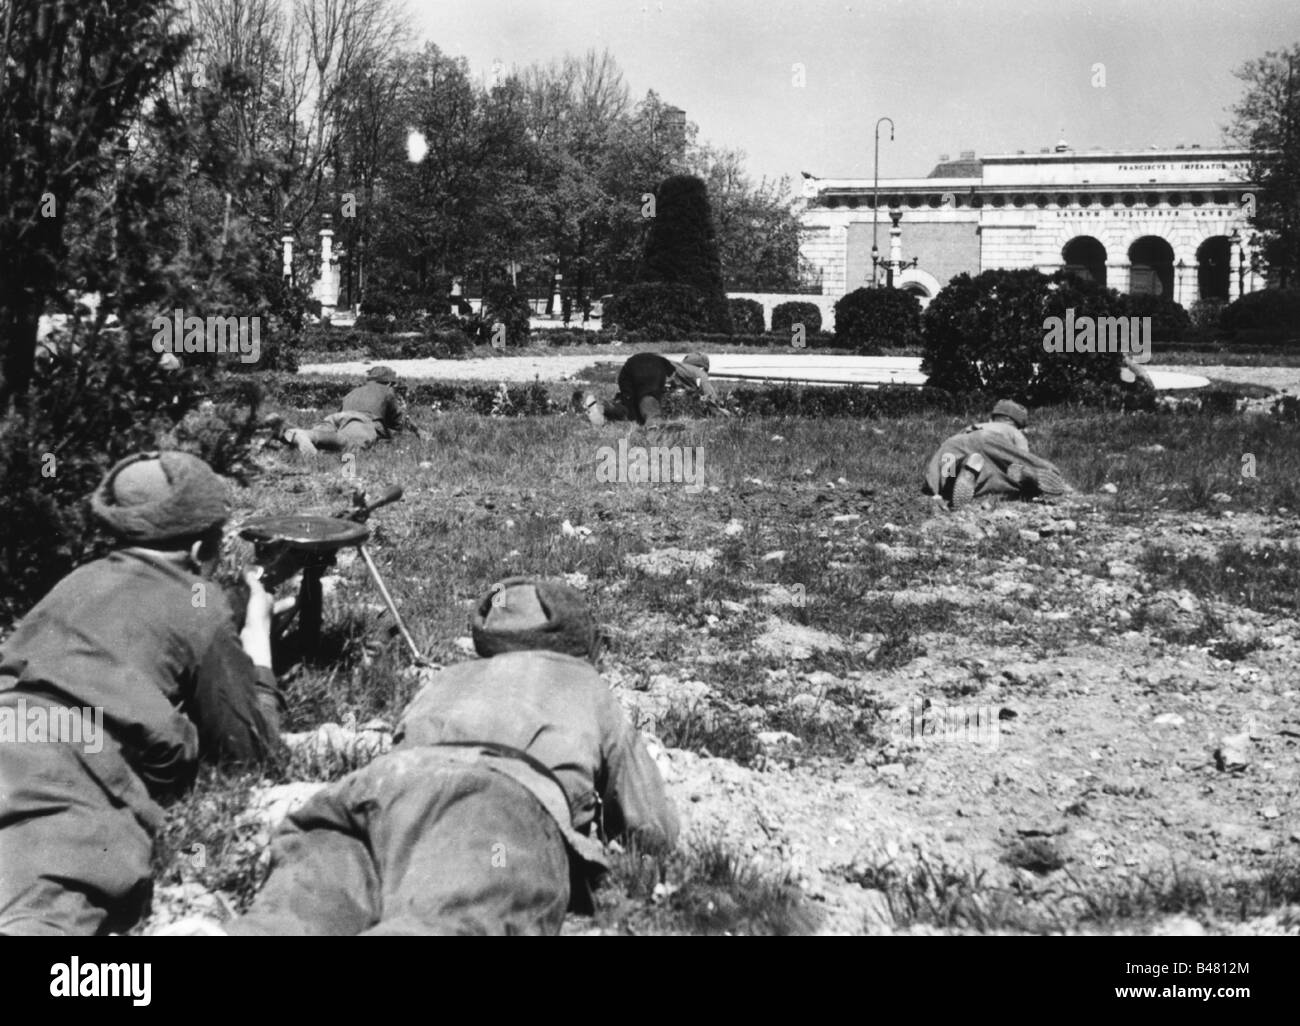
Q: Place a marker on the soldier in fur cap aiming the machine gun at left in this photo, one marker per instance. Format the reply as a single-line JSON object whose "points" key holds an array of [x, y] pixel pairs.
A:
{"points": [[145, 643]]}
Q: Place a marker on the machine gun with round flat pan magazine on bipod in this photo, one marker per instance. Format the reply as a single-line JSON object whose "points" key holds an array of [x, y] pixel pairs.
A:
{"points": [[309, 546]]}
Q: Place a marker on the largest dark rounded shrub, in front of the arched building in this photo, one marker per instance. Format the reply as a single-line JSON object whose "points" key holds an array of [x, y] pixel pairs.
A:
{"points": [[991, 334]]}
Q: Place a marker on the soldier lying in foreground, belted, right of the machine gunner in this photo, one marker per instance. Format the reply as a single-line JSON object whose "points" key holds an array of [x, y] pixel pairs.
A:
{"points": [[488, 815]]}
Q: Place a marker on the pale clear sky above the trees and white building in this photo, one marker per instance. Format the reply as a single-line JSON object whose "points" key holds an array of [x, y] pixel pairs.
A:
{"points": [[991, 76]]}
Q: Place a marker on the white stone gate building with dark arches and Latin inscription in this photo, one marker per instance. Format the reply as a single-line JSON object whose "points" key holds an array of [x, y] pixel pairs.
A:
{"points": [[1167, 222]]}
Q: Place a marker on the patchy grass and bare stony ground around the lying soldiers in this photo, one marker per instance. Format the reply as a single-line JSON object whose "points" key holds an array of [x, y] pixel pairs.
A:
{"points": [[769, 625]]}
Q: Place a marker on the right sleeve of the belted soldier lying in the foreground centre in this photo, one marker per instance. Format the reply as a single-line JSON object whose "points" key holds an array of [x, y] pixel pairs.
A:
{"points": [[632, 790]]}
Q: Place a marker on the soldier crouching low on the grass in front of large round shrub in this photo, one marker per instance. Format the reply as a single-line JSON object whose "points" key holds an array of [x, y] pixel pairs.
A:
{"points": [[991, 458]]}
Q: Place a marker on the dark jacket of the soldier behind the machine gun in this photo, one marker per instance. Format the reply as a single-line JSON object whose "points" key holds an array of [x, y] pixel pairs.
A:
{"points": [[154, 646]]}
